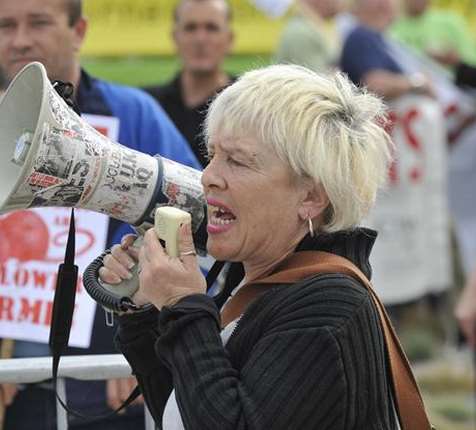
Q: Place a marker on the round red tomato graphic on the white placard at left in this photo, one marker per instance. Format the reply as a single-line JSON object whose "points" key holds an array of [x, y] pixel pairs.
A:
{"points": [[23, 236]]}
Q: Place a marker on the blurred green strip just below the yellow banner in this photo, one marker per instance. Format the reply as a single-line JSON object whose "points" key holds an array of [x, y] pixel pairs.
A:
{"points": [[142, 71]]}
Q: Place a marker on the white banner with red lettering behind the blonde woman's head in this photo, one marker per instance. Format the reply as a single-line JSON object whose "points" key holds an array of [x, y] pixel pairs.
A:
{"points": [[412, 253]]}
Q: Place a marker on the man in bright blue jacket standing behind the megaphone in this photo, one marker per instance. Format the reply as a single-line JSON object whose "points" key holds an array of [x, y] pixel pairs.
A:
{"points": [[52, 32]]}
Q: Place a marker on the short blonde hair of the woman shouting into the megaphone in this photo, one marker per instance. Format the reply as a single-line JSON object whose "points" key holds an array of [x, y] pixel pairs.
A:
{"points": [[323, 126]]}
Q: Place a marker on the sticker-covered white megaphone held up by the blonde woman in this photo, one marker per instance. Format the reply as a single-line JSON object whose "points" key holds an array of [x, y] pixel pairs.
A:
{"points": [[54, 158]]}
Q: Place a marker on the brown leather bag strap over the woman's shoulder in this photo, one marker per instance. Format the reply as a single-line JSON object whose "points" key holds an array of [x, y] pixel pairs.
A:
{"points": [[301, 265]]}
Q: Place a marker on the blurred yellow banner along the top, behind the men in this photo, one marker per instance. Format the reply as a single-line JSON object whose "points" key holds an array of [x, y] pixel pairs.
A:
{"points": [[142, 27]]}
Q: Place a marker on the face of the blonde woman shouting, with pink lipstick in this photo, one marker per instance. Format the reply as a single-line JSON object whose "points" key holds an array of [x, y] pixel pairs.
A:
{"points": [[253, 201]]}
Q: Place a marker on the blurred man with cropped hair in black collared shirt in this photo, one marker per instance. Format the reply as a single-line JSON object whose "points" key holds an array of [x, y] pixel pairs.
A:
{"points": [[203, 38]]}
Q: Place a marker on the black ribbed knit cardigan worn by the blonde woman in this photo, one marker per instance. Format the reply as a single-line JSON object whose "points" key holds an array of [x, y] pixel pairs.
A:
{"points": [[308, 355]]}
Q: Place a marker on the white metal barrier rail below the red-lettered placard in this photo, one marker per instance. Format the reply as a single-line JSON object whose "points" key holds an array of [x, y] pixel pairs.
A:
{"points": [[83, 367]]}
